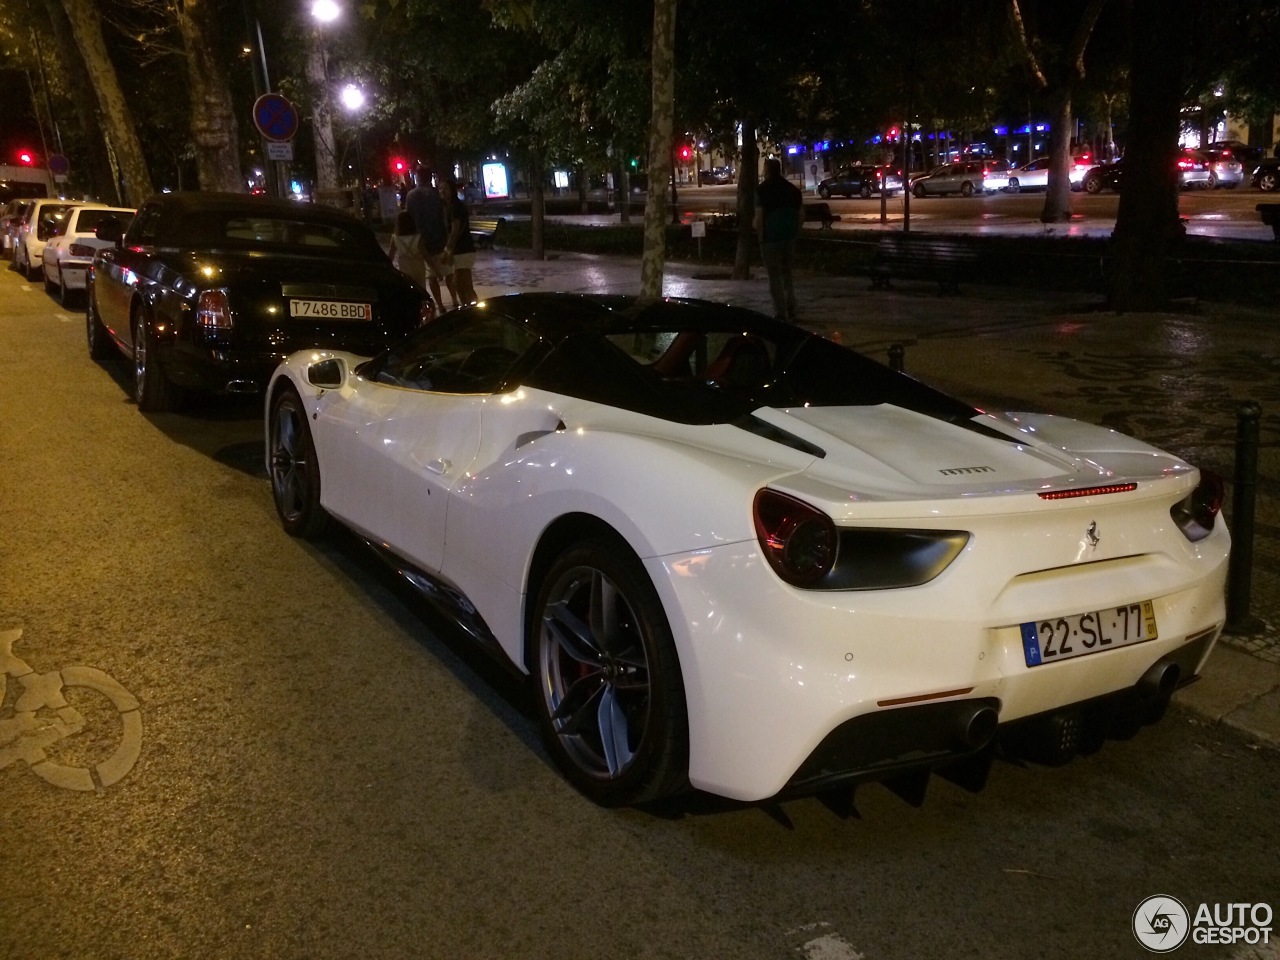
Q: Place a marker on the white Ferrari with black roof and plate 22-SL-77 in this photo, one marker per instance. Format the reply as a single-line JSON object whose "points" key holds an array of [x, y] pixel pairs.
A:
{"points": [[737, 556]]}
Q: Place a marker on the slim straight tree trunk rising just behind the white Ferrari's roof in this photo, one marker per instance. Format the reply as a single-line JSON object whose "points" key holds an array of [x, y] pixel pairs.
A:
{"points": [[662, 124]]}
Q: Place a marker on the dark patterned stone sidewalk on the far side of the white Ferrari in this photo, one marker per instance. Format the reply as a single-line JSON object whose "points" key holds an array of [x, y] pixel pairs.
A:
{"points": [[1176, 381]]}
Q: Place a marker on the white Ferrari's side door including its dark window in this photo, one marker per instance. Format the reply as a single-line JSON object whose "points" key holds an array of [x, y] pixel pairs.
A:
{"points": [[395, 446]]}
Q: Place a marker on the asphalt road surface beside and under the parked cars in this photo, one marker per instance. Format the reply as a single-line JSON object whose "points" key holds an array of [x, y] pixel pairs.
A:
{"points": [[326, 771]]}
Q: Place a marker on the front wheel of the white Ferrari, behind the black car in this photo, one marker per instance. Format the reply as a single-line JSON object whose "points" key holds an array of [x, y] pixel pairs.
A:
{"points": [[294, 468]]}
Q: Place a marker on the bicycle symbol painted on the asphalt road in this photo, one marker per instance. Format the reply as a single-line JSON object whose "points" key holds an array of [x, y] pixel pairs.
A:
{"points": [[28, 735]]}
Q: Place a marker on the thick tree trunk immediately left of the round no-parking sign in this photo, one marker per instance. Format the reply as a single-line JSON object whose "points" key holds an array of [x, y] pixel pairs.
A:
{"points": [[213, 120]]}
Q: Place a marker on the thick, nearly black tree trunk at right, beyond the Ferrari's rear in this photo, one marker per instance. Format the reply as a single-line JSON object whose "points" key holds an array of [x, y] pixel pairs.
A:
{"points": [[1148, 217]]}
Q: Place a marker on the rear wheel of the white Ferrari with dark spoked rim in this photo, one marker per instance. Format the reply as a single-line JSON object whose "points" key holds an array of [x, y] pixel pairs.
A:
{"points": [[610, 697]]}
